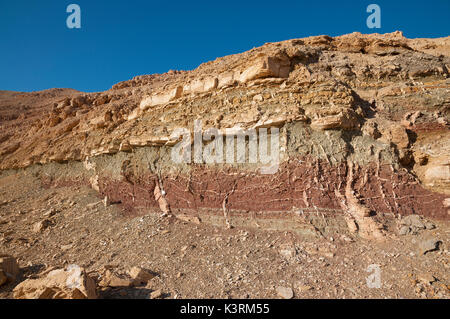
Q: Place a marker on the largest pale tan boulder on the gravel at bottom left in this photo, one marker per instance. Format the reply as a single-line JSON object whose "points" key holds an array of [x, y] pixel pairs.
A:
{"points": [[69, 283]]}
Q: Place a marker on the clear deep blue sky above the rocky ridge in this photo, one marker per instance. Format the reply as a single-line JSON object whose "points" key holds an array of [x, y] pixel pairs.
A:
{"points": [[121, 39]]}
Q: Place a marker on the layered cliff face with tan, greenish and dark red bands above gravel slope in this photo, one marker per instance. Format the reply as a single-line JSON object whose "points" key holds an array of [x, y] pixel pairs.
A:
{"points": [[363, 122]]}
